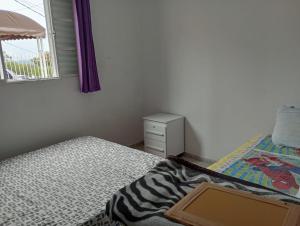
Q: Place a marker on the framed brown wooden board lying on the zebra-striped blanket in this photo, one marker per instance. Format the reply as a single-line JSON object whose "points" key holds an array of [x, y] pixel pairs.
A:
{"points": [[211, 205]]}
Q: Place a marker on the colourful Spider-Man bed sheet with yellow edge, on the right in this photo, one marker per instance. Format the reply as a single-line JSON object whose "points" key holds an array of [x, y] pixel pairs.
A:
{"points": [[261, 162]]}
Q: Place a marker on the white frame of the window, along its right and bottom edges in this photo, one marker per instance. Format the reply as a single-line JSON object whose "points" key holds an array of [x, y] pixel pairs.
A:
{"points": [[52, 49]]}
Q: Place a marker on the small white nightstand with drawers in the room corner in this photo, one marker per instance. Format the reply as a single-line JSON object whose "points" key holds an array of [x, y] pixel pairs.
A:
{"points": [[164, 134]]}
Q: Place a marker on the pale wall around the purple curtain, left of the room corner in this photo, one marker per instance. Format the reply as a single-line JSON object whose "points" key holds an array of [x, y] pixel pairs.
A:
{"points": [[37, 114]]}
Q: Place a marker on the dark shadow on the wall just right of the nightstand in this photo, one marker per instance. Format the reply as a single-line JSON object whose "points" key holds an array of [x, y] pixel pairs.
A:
{"points": [[192, 141]]}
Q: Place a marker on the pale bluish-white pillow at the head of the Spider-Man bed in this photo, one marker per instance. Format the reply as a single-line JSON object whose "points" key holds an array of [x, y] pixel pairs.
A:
{"points": [[287, 128]]}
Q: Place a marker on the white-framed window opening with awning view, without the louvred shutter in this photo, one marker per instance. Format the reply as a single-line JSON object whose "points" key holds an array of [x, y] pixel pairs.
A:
{"points": [[27, 40]]}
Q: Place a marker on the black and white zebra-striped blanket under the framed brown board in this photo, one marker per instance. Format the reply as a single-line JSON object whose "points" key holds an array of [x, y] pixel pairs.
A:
{"points": [[144, 202]]}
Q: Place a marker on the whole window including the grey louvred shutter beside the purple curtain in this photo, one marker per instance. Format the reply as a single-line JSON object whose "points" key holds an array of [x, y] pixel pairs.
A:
{"points": [[41, 45]]}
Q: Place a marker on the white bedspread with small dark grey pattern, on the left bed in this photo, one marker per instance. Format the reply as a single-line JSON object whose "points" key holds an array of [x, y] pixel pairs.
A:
{"points": [[68, 183]]}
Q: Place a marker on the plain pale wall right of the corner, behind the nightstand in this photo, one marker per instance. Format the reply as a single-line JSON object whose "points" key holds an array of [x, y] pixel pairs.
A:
{"points": [[225, 65]]}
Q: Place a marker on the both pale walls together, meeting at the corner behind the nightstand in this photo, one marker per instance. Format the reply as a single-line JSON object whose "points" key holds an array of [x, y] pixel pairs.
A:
{"points": [[225, 65]]}
